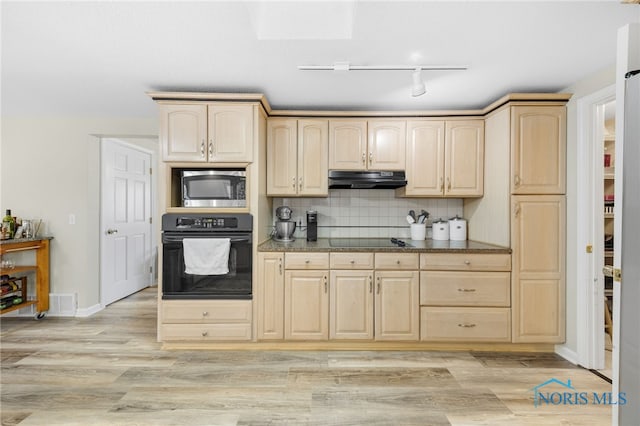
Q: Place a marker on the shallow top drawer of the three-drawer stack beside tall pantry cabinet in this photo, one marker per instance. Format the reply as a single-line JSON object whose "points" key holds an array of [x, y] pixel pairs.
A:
{"points": [[465, 262]]}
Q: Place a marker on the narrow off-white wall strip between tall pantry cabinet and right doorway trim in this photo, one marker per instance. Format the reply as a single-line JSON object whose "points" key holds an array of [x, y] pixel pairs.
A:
{"points": [[587, 86]]}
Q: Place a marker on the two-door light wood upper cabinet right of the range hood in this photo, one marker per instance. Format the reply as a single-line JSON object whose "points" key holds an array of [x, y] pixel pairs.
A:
{"points": [[444, 158]]}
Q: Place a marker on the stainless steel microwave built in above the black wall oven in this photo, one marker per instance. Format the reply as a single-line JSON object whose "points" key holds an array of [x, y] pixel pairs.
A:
{"points": [[214, 188]]}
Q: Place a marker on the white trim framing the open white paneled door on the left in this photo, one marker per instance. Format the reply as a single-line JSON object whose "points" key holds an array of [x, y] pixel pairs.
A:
{"points": [[126, 141]]}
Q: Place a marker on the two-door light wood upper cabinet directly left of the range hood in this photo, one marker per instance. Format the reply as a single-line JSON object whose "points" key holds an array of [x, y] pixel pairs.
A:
{"points": [[297, 156]]}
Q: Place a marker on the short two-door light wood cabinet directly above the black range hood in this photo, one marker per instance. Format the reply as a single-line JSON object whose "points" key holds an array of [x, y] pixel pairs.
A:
{"points": [[367, 144]]}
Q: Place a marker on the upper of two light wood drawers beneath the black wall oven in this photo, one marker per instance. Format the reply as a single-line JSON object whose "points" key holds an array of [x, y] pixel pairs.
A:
{"points": [[210, 311]]}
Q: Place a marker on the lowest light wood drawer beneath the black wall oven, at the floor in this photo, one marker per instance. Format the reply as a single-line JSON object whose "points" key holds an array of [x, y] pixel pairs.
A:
{"points": [[206, 332]]}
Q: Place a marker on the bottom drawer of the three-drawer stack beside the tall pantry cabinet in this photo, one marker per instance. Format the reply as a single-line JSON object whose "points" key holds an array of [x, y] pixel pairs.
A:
{"points": [[465, 324]]}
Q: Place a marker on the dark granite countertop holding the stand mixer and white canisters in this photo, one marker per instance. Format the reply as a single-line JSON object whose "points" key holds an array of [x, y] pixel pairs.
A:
{"points": [[426, 246]]}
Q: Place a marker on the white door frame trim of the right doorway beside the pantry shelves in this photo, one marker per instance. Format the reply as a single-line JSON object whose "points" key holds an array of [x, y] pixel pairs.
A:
{"points": [[590, 228]]}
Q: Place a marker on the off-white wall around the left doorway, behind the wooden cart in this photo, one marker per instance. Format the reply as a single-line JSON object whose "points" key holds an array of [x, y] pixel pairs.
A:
{"points": [[49, 169]]}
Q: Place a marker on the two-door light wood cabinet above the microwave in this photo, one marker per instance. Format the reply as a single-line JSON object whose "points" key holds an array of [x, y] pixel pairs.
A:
{"points": [[213, 132]]}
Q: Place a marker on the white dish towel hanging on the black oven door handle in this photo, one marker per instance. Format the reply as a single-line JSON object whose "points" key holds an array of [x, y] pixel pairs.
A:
{"points": [[206, 256]]}
